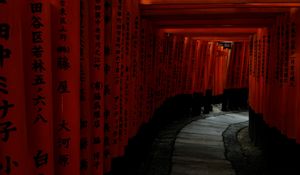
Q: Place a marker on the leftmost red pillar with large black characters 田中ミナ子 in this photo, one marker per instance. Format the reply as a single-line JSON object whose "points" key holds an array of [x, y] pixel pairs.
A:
{"points": [[13, 138]]}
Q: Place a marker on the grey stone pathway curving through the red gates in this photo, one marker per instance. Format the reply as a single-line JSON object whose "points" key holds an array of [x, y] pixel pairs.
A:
{"points": [[199, 147]]}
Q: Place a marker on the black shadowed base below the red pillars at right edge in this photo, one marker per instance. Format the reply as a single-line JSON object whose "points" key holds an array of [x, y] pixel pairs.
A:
{"points": [[282, 154]]}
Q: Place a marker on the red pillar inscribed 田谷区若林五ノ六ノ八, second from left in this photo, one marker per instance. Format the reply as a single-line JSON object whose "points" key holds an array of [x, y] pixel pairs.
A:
{"points": [[39, 83]]}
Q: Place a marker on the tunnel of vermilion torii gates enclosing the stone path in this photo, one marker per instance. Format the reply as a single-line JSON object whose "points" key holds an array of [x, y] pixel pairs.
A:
{"points": [[80, 80]]}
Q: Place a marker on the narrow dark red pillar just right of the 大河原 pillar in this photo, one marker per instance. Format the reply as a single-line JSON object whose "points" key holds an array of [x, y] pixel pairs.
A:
{"points": [[85, 98]]}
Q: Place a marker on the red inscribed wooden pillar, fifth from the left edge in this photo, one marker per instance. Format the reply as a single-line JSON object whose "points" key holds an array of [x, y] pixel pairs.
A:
{"points": [[97, 83]]}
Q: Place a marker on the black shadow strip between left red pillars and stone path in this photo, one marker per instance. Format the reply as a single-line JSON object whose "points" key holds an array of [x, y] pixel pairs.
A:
{"points": [[140, 152]]}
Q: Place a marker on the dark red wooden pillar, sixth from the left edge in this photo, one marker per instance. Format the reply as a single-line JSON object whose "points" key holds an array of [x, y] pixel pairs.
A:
{"points": [[113, 12]]}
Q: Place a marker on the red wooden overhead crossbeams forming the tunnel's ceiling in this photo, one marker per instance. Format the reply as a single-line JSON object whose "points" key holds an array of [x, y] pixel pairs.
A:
{"points": [[214, 18]]}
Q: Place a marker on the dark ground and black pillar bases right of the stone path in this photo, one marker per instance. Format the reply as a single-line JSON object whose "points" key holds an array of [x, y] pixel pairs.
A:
{"points": [[258, 149]]}
